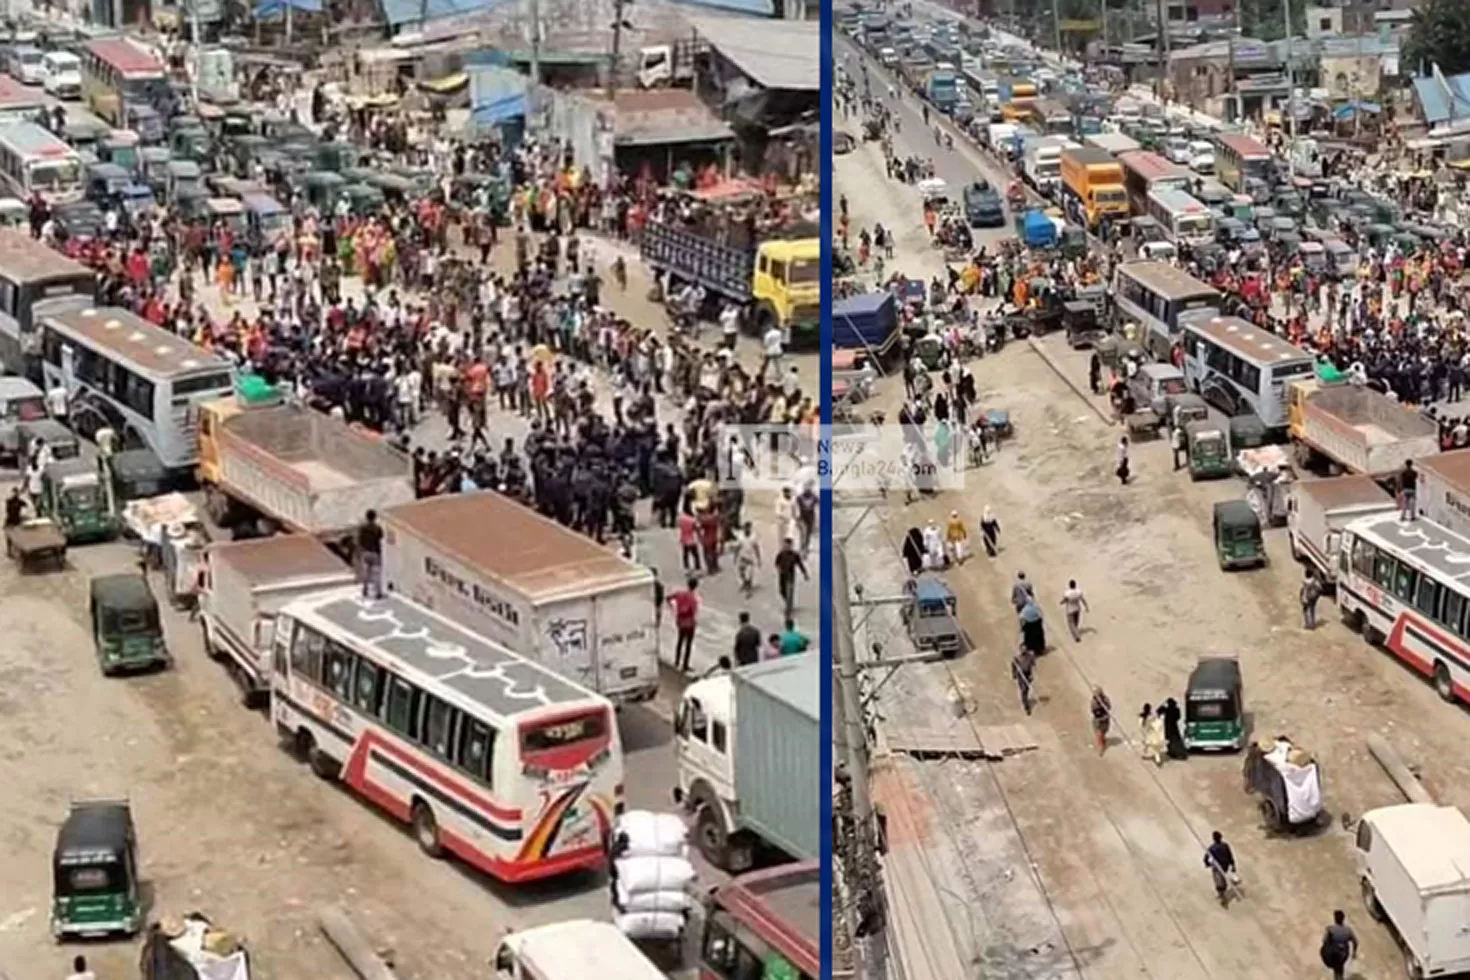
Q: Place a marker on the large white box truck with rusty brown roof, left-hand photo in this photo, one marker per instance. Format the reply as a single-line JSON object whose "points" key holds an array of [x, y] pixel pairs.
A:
{"points": [[517, 578]]}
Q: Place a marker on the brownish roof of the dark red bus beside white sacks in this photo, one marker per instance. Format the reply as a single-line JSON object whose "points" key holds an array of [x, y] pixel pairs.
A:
{"points": [[787, 903]]}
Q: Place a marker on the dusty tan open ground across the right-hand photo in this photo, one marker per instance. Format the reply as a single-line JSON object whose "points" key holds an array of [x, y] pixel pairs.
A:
{"points": [[1059, 863]]}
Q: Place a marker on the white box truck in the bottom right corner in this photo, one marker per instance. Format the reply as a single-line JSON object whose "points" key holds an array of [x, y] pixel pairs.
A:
{"points": [[1415, 871]]}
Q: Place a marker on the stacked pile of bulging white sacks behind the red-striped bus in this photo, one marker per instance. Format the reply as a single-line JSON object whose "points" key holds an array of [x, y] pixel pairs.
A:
{"points": [[652, 875]]}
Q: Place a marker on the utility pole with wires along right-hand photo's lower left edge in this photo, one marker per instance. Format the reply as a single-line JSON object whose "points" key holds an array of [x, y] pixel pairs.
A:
{"points": [[867, 897]]}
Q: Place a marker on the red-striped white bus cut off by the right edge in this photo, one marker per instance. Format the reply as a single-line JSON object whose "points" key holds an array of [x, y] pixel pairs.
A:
{"points": [[1408, 587]]}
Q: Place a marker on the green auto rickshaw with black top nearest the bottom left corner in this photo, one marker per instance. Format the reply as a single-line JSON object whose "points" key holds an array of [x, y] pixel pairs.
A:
{"points": [[95, 868]]}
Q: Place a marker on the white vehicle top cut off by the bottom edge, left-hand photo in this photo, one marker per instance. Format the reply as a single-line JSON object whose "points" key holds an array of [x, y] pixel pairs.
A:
{"points": [[574, 950]]}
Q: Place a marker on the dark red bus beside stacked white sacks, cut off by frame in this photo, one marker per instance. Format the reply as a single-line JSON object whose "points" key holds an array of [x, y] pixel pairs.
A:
{"points": [[765, 926]]}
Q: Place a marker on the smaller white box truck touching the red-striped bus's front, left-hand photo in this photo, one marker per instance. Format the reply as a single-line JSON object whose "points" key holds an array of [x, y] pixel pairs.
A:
{"points": [[248, 584]]}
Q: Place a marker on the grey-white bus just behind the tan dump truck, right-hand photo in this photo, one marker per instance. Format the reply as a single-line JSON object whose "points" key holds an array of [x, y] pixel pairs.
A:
{"points": [[1243, 370]]}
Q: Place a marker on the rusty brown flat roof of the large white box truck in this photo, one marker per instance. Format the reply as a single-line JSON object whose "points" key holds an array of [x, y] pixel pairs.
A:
{"points": [[498, 537]]}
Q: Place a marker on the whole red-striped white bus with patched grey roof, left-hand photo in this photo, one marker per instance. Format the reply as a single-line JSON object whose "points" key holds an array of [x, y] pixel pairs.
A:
{"points": [[486, 754]]}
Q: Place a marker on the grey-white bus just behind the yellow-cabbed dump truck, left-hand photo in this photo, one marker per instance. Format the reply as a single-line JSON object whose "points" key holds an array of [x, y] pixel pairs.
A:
{"points": [[139, 380]]}
